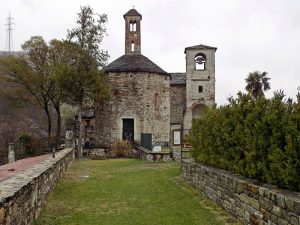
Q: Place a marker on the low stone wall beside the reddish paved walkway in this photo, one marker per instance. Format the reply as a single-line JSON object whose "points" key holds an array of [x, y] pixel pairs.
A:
{"points": [[23, 195]]}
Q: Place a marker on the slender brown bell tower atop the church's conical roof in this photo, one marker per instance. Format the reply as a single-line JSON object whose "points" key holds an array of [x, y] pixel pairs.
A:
{"points": [[132, 32]]}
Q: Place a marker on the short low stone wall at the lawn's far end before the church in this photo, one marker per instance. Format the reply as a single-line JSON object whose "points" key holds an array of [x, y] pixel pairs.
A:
{"points": [[147, 155]]}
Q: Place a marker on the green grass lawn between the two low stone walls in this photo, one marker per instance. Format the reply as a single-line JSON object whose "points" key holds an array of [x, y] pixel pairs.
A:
{"points": [[127, 191]]}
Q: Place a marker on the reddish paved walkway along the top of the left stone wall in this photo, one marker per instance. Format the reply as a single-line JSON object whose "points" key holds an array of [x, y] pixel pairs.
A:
{"points": [[20, 165]]}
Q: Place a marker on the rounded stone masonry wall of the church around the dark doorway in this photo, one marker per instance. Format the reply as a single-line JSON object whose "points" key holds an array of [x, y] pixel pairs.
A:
{"points": [[144, 97]]}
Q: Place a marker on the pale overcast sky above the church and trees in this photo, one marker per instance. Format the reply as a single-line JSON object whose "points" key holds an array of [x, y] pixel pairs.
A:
{"points": [[250, 35]]}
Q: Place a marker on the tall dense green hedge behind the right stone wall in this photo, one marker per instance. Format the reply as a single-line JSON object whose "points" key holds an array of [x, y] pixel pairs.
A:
{"points": [[256, 138]]}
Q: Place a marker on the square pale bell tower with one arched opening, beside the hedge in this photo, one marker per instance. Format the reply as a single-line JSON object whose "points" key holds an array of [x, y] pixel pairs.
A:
{"points": [[200, 82]]}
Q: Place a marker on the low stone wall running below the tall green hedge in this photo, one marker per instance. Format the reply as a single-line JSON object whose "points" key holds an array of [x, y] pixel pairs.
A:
{"points": [[249, 200]]}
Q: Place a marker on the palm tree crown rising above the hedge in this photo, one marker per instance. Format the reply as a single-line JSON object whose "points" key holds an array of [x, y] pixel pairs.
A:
{"points": [[257, 83]]}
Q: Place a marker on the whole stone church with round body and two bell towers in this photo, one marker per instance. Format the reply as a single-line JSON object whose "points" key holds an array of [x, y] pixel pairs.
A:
{"points": [[150, 102]]}
